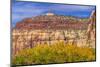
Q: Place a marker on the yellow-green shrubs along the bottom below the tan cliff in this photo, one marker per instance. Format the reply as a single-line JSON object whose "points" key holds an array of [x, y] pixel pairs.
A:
{"points": [[54, 53]]}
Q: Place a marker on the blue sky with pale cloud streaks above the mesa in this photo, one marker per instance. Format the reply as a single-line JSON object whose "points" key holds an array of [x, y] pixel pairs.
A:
{"points": [[21, 10]]}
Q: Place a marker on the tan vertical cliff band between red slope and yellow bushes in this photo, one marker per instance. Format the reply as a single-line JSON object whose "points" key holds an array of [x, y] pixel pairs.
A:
{"points": [[27, 39]]}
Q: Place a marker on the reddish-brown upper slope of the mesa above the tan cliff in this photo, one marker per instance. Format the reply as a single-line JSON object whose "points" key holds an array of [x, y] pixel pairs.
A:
{"points": [[51, 22]]}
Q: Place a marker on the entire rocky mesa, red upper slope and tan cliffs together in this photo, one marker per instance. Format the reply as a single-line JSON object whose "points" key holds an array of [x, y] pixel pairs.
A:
{"points": [[52, 29]]}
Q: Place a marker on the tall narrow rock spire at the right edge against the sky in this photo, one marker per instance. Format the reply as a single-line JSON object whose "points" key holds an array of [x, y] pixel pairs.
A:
{"points": [[91, 26]]}
